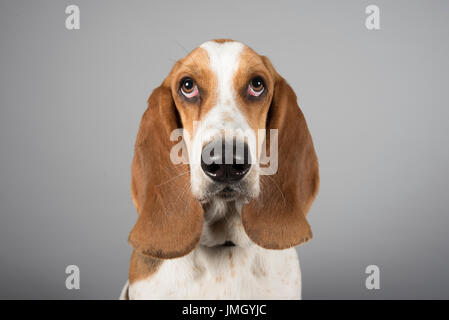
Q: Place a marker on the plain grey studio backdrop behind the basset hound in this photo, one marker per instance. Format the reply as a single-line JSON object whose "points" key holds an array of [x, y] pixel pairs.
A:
{"points": [[376, 103]]}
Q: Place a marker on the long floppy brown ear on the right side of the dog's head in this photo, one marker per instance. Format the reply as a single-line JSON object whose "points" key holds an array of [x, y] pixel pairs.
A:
{"points": [[277, 219]]}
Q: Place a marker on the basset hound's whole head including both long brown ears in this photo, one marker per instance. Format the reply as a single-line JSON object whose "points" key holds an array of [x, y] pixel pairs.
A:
{"points": [[243, 140]]}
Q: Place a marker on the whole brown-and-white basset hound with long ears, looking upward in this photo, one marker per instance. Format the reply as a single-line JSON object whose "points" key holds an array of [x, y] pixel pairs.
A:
{"points": [[220, 228]]}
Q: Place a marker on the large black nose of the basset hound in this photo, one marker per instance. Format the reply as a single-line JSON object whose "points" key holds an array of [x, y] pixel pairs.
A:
{"points": [[225, 161]]}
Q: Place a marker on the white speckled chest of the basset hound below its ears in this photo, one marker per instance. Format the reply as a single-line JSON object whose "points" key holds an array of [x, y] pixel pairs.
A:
{"points": [[227, 273]]}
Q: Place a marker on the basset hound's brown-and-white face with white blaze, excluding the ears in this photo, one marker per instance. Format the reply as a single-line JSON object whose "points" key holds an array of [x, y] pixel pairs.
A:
{"points": [[222, 92]]}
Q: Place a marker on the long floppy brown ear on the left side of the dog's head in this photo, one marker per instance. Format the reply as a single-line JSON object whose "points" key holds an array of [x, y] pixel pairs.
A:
{"points": [[170, 220]]}
